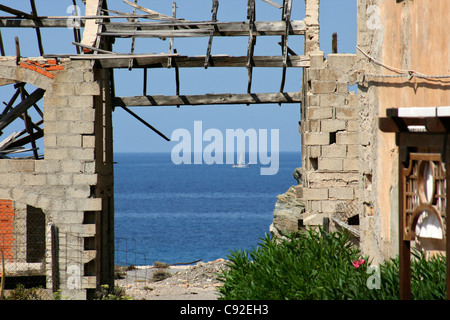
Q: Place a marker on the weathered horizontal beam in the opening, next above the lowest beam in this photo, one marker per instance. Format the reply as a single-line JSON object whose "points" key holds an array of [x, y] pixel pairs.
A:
{"points": [[157, 61]]}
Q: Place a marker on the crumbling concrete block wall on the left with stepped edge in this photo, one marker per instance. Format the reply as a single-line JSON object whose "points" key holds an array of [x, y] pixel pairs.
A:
{"points": [[66, 184]]}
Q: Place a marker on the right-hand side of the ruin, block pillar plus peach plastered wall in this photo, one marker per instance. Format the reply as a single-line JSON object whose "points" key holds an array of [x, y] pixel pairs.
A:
{"points": [[350, 152]]}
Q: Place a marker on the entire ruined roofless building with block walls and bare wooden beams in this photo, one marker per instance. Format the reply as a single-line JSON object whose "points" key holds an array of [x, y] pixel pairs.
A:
{"points": [[57, 208]]}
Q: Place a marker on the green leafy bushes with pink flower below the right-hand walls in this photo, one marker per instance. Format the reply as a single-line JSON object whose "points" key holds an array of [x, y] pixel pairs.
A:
{"points": [[323, 266]]}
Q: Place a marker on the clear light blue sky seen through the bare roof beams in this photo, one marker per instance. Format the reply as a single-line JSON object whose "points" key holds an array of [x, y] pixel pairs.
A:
{"points": [[132, 136]]}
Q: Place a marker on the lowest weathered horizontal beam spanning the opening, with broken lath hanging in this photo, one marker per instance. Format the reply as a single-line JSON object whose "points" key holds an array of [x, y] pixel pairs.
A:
{"points": [[208, 99]]}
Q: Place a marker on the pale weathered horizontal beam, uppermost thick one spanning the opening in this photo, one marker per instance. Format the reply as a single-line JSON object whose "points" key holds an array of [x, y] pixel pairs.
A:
{"points": [[225, 29]]}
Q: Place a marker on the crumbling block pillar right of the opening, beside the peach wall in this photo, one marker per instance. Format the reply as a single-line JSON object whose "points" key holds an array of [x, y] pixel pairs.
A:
{"points": [[331, 138]]}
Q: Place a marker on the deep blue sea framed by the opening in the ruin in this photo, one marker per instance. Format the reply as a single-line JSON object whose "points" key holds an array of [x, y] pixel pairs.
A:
{"points": [[182, 213]]}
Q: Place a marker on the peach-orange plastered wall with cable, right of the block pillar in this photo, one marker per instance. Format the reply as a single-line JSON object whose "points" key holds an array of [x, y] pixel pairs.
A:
{"points": [[402, 36]]}
